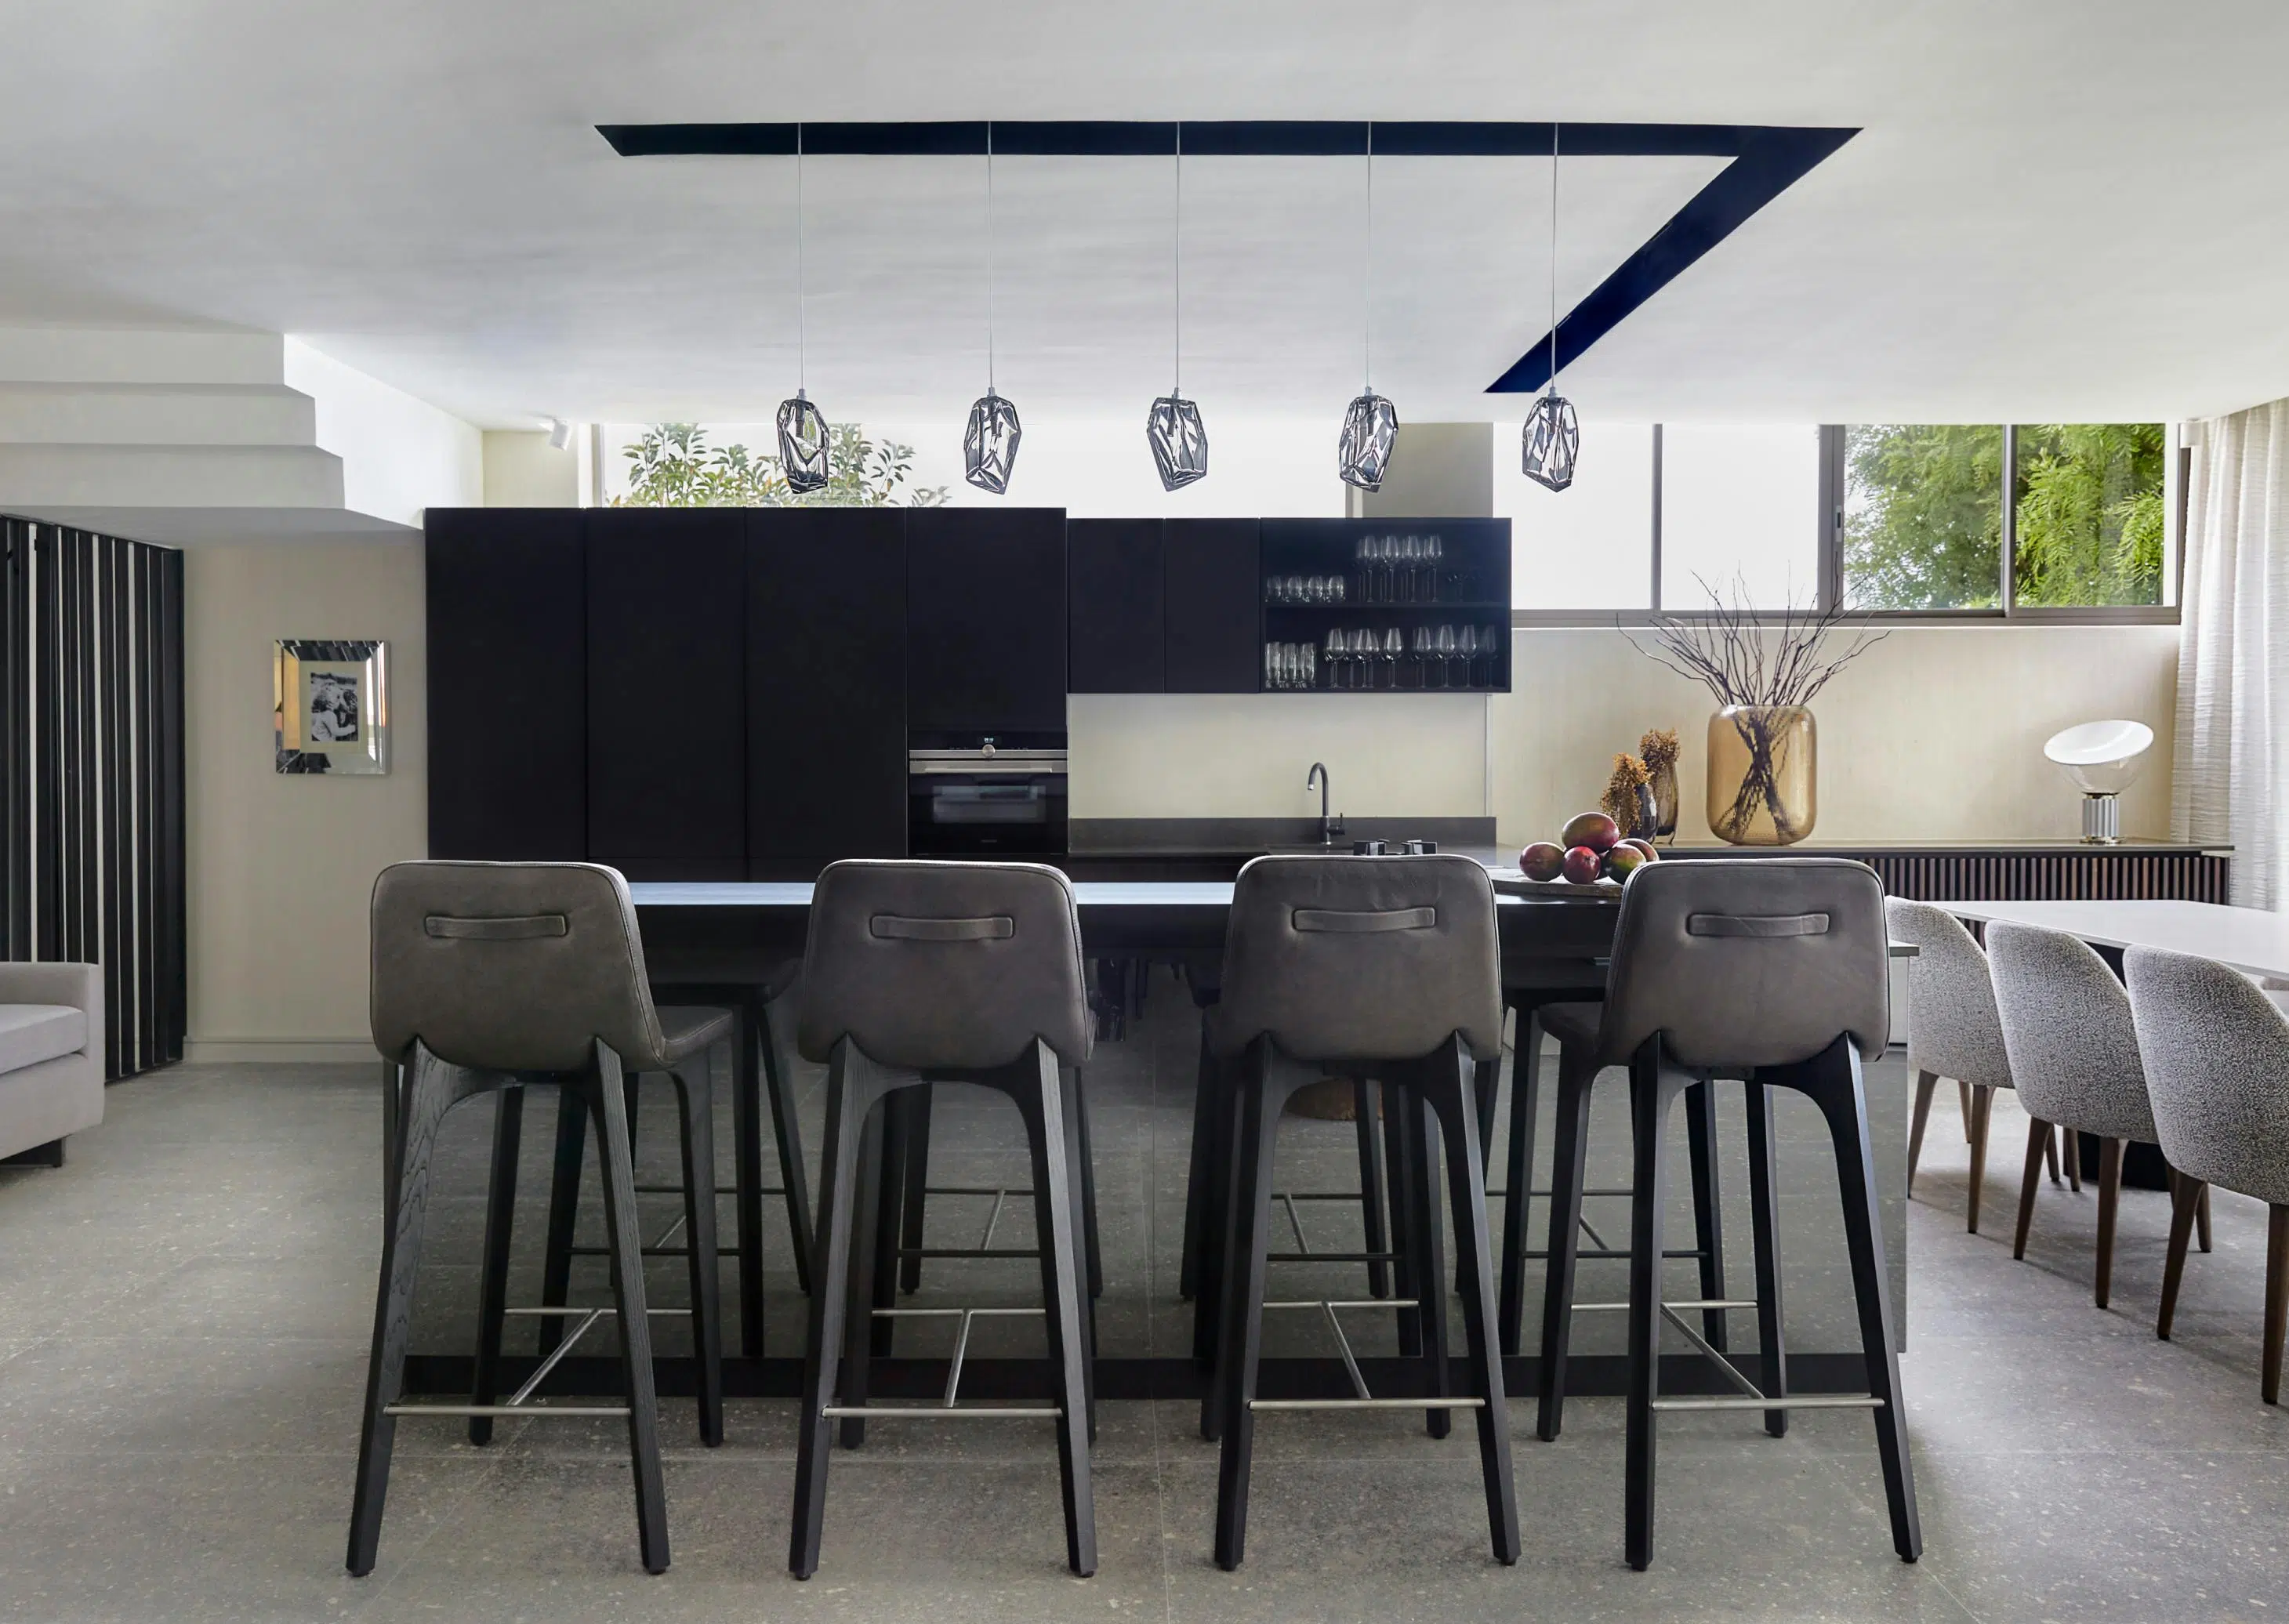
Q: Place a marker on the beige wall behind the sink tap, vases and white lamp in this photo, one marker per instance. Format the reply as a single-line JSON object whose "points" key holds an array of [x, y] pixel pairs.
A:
{"points": [[1933, 735]]}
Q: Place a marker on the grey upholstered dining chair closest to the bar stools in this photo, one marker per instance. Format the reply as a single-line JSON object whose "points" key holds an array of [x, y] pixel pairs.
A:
{"points": [[1951, 1030]]}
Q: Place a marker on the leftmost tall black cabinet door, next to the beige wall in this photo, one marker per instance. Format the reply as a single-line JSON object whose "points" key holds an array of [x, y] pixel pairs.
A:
{"points": [[507, 685]]}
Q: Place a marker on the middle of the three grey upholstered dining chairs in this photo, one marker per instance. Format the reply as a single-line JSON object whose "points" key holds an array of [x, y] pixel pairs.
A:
{"points": [[2075, 1062]]}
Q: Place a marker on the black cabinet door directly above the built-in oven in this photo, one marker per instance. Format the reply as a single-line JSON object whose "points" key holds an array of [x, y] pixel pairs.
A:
{"points": [[985, 621]]}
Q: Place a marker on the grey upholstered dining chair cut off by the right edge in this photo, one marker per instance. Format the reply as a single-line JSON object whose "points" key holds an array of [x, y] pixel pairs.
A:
{"points": [[2217, 1060]]}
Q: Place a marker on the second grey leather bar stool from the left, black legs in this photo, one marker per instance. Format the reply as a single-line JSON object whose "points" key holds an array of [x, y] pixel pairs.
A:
{"points": [[942, 973]]}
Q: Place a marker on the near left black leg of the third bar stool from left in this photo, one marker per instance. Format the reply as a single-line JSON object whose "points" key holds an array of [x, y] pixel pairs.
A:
{"points": [[1262, 1099]]}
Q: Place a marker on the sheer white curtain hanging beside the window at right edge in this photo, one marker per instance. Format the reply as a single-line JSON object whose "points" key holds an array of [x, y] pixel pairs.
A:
{"points": [[2233, 653]]}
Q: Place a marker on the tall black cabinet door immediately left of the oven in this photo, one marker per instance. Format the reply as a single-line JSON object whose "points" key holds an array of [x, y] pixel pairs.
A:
{"points": [[825, 687]]}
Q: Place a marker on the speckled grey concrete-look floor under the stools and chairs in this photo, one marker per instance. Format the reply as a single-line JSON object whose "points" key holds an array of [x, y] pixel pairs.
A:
{"points": [[184, 1328]]}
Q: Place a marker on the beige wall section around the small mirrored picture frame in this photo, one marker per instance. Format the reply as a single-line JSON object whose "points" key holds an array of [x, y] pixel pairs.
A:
{"points": [[280, 868]]}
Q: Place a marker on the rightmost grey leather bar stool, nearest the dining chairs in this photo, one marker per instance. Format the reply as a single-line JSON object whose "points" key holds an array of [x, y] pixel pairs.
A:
{"points": [[1759, 969]]}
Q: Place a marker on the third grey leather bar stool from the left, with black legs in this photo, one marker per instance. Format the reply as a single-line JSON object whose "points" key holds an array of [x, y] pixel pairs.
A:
{"points": [[1375, 969]]}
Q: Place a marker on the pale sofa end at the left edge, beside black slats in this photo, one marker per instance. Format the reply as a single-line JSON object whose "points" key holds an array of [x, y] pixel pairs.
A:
{"points": [[52, 1058]]}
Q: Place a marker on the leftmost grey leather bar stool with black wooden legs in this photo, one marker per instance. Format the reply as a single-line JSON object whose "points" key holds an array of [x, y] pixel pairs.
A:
{"points": [[491, 978]]}
